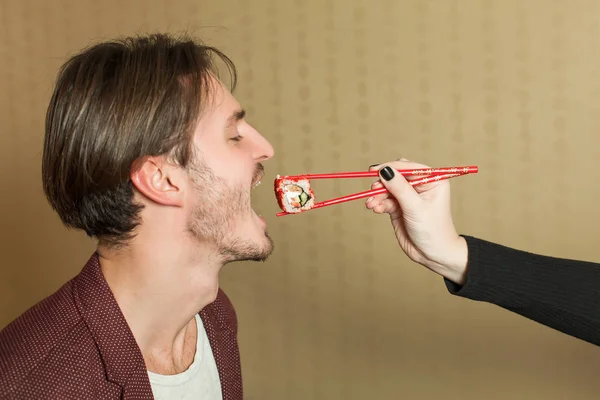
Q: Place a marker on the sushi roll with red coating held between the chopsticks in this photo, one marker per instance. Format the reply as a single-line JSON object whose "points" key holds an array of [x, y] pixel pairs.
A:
{"points": [[294, 195]]}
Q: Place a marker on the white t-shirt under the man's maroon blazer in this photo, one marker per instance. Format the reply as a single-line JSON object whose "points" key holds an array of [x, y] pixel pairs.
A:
{"points": [[199, 381]]}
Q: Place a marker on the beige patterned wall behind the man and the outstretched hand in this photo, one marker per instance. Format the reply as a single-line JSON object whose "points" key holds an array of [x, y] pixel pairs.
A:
{"points": [[338, 312]]}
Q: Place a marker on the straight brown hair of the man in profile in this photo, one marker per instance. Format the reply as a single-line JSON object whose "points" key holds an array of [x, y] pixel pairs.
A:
{"points": [[115, 103]]}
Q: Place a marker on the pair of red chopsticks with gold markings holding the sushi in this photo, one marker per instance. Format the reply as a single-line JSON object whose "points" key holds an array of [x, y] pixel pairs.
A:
{"points": [[431, 175]]}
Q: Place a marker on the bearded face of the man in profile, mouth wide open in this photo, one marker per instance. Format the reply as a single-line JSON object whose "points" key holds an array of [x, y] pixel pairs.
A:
{"points": [[226, 167]]}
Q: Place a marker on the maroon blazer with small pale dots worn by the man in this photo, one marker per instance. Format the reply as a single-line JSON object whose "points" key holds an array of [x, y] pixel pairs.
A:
{"points": [[76, 344]]}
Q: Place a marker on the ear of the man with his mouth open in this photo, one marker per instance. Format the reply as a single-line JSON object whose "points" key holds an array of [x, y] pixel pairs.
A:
{"points": [[158, 181]]}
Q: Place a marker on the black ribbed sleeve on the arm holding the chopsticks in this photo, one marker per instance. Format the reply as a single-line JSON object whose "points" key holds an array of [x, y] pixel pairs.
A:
{"points": [[559, 293]]}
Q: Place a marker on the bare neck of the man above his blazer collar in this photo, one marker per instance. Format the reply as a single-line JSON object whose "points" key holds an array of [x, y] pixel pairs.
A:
{"points": [[160, 287]]}
